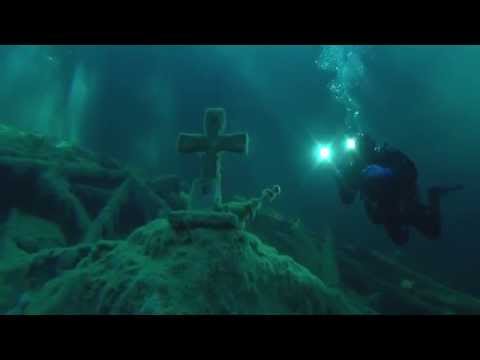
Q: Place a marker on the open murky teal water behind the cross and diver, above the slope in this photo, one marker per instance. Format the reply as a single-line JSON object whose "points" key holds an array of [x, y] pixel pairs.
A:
{"points": [[130, 103]]}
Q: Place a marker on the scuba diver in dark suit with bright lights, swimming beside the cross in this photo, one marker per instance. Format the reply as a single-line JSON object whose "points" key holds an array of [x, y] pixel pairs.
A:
{"points": [[386, 180]]}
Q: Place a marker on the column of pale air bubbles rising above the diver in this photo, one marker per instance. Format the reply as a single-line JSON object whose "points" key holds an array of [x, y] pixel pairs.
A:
{"points": [[346, 63]]}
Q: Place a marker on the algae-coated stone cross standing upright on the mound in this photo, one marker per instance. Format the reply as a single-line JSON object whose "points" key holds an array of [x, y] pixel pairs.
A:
{"points": [[206, 190]]}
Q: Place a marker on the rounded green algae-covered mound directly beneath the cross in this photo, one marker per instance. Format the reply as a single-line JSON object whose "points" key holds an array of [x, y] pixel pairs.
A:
{"points": [[159, 270]]}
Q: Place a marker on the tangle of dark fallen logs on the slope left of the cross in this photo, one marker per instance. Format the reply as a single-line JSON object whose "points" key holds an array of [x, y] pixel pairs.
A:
{"points": [[77, 192]]}
